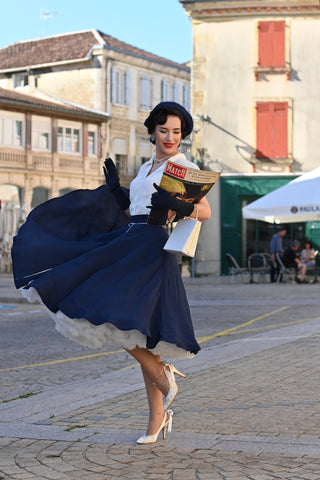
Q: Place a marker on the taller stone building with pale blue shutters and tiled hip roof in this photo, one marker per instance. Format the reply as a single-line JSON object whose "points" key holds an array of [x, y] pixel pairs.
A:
{"points": [[93, 69]]}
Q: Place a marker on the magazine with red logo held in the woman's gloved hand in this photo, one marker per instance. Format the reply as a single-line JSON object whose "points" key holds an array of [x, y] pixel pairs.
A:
{"points": [[188, 184]]}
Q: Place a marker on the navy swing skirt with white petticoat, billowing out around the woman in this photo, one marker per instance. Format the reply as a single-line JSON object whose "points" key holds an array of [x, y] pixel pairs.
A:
{"points": [[102, 276]]}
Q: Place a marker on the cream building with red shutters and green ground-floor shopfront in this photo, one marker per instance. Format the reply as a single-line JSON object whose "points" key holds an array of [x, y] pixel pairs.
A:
{"points": [[255, 94]]}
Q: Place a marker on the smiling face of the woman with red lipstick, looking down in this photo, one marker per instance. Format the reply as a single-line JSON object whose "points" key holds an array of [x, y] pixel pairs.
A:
{"points": [[168, 137]]}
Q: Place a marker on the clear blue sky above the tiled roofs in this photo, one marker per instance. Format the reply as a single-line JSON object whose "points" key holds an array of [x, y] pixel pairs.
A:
{"points": [[161, 27]]}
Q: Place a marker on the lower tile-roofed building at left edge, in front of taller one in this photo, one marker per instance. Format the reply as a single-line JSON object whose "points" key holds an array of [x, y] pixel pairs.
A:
{"points": [[46, 149]]}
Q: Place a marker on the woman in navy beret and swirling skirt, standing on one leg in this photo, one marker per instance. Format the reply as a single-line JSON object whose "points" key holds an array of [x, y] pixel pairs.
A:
{"points": [[118, 286]]}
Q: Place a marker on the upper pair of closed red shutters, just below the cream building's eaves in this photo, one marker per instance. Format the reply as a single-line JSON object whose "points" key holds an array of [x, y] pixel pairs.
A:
{"points": [[271, 41]]}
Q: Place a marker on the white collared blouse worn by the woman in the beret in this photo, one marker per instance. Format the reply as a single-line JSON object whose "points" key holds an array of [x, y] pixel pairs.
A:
{"points": [[141, 188]]}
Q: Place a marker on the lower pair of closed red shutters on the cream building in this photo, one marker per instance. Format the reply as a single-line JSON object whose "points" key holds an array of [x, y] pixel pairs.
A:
{"points": [[272, 130]]}
